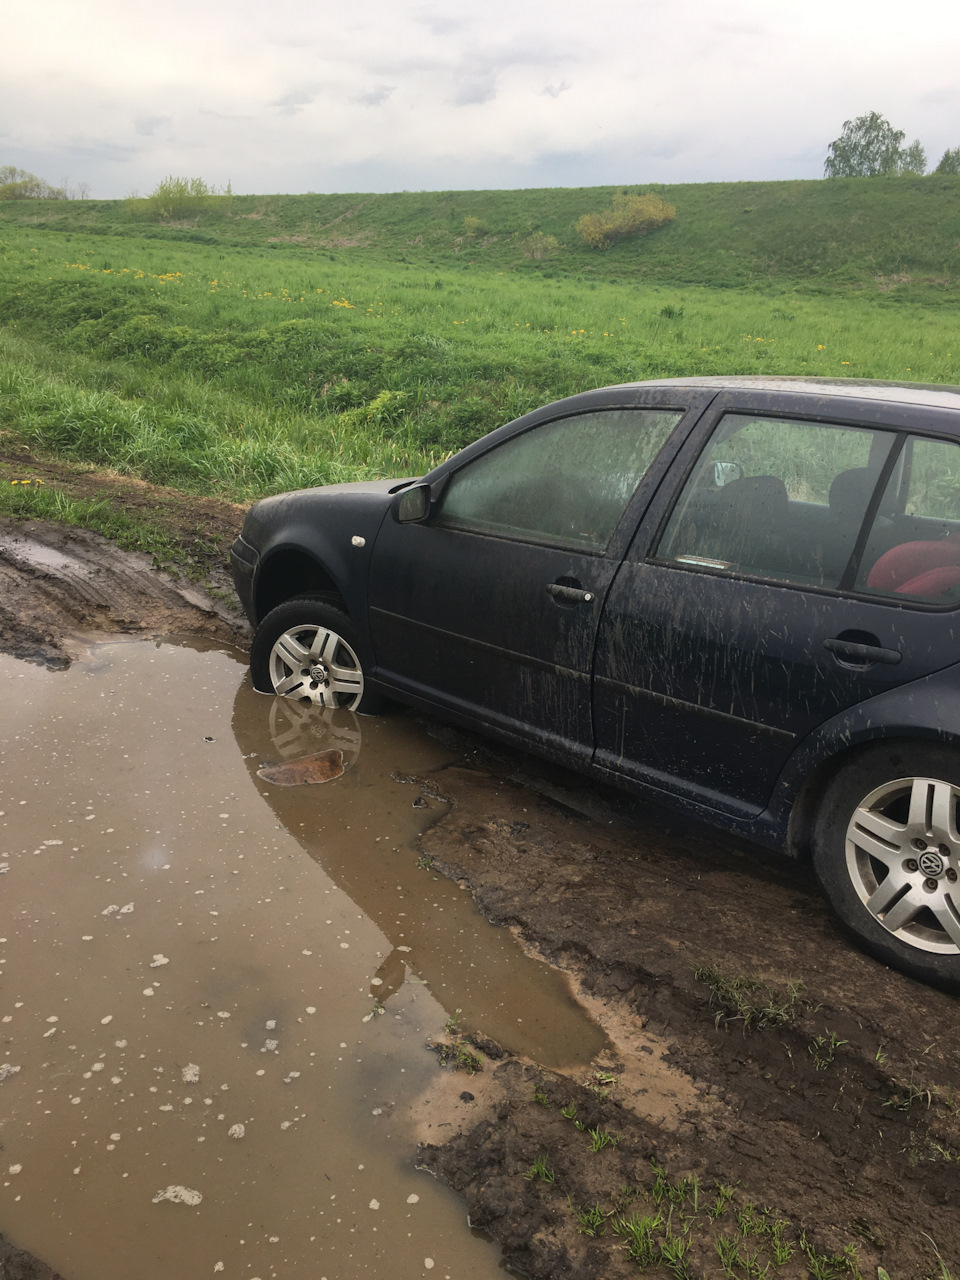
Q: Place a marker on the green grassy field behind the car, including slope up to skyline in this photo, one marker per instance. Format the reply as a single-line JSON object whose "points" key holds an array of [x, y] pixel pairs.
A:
{"points": [[309, 340]]}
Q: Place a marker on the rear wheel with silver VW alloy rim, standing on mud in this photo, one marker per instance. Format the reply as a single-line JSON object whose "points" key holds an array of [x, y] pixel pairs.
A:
{"points": [[886, 852]]}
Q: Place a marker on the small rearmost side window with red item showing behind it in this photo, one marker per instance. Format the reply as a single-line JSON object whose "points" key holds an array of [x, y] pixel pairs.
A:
{"points": [[913, 552]]}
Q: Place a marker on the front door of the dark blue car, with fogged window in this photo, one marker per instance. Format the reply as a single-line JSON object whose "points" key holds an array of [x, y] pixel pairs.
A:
{"points": [[490, 607]]}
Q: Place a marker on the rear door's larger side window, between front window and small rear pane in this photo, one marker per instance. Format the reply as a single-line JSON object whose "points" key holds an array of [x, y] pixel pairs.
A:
{"points": [[776, 499]]}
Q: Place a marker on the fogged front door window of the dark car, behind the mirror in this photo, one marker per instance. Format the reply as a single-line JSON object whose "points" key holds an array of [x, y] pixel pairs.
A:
{"points": [[566, 483]]}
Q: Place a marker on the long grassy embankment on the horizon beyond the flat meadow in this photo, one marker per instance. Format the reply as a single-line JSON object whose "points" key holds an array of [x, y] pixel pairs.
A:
{"points": [[876, 234]]}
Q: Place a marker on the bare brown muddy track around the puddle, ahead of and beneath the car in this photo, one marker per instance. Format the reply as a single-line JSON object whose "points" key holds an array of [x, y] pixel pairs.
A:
{"points": [[769, 1096]]}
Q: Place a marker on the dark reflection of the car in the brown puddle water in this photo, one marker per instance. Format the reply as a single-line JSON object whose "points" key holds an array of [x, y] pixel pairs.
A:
{"points": [[437, 932]]}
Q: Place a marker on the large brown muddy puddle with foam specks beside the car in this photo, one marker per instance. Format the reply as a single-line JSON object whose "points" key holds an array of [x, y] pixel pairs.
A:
{"points": [[217, 991]]}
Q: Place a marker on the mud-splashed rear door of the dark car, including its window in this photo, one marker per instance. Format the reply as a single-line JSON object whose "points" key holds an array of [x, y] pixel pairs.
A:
{"points": [[746, 614]]}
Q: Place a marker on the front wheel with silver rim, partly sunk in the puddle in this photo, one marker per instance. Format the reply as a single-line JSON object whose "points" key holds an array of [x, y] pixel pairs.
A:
{"points": [[308, 651]]}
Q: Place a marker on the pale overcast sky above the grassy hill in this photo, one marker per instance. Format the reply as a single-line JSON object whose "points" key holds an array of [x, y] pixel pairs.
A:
{"points": [[391, 95]]}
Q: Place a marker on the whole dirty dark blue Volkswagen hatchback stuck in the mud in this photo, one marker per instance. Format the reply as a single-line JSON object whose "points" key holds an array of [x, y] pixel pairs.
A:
{"points": [[737, 596]]}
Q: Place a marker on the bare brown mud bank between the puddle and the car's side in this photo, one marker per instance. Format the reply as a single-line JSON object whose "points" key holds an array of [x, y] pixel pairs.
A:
{"points": [[844, 1119]]}
